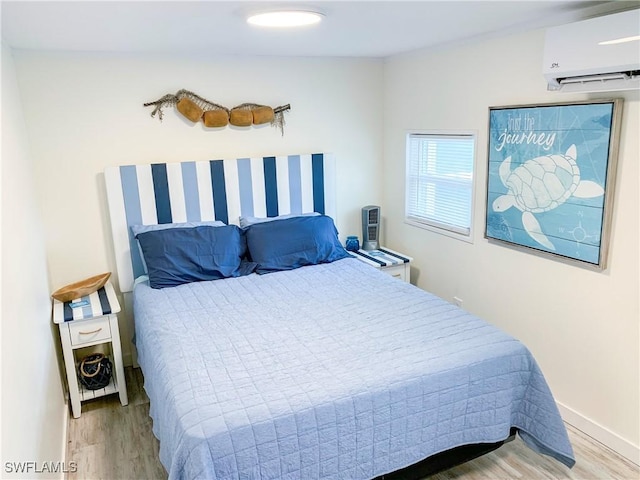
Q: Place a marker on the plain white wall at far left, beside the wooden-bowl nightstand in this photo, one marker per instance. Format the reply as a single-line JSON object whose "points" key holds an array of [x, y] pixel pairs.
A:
{"points": [[33, 408]]}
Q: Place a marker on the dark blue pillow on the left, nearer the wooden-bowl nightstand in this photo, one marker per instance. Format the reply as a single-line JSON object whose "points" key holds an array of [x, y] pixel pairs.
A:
{"points": [[183, 255]]}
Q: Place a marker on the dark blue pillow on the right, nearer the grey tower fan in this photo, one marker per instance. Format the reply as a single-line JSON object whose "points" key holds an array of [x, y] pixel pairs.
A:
{"points": [[293, 243]]}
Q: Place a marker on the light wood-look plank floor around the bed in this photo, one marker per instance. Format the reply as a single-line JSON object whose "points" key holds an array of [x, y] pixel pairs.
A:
{"points": [[112, 442]]}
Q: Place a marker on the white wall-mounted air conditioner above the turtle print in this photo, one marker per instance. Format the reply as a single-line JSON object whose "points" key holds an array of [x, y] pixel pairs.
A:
{"points": [[597, 55]]}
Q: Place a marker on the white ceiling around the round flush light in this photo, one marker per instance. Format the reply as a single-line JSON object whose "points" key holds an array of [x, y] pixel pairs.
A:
{"points": [[350, 28]]}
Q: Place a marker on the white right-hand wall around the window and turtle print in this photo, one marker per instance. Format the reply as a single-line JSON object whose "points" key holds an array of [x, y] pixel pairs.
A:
{"points": [[582, 326]]}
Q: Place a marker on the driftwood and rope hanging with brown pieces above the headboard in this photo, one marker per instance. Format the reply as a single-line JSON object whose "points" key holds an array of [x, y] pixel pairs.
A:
{"points": [[194, 107]]}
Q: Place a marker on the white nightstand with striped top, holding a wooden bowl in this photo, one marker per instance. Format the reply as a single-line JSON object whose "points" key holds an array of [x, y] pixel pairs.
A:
{"points": [[95, 323]]}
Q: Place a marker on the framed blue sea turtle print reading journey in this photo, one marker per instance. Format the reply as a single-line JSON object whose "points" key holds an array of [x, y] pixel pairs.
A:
{"points": [[551, 174]]}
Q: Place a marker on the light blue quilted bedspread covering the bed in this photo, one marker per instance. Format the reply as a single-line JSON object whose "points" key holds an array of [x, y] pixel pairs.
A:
{"points": [[331, 371]]}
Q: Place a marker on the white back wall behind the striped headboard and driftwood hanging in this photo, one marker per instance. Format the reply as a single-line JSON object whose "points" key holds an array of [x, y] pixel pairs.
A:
{"points": [[84, 112]]}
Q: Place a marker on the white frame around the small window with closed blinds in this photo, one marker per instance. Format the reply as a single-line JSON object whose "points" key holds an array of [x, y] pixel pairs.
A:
{"points": [[434, 226]]}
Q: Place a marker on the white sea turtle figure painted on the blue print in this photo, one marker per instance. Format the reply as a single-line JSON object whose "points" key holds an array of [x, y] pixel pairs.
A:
{"points": [[542, 184]]}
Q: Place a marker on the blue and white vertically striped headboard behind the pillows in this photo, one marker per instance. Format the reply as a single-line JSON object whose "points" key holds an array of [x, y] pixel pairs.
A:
{"points": [[212, 190]]}
